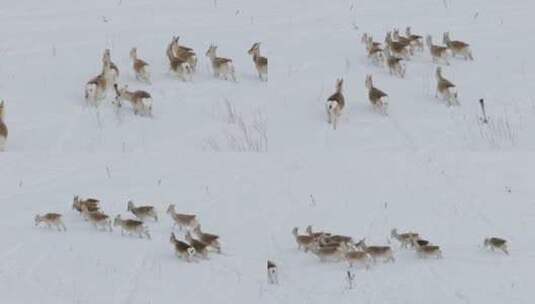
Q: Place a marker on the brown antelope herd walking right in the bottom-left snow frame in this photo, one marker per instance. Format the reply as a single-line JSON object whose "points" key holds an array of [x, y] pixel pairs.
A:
{"points": [[90, 209]]}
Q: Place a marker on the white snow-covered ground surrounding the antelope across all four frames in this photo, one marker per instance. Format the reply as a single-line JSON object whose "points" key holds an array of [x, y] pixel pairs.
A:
{"points": [[425, 167]]}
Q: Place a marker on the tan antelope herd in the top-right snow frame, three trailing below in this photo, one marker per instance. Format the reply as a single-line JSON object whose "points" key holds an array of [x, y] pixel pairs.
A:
{"points": [[396, 49]]}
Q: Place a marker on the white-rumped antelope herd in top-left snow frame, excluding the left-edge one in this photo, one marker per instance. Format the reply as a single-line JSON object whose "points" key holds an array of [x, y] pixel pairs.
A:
{"points": [[182, 62]]}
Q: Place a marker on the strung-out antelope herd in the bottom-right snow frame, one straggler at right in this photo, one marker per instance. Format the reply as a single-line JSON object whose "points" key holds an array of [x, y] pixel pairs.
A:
{"points": [[333, 247]]}
